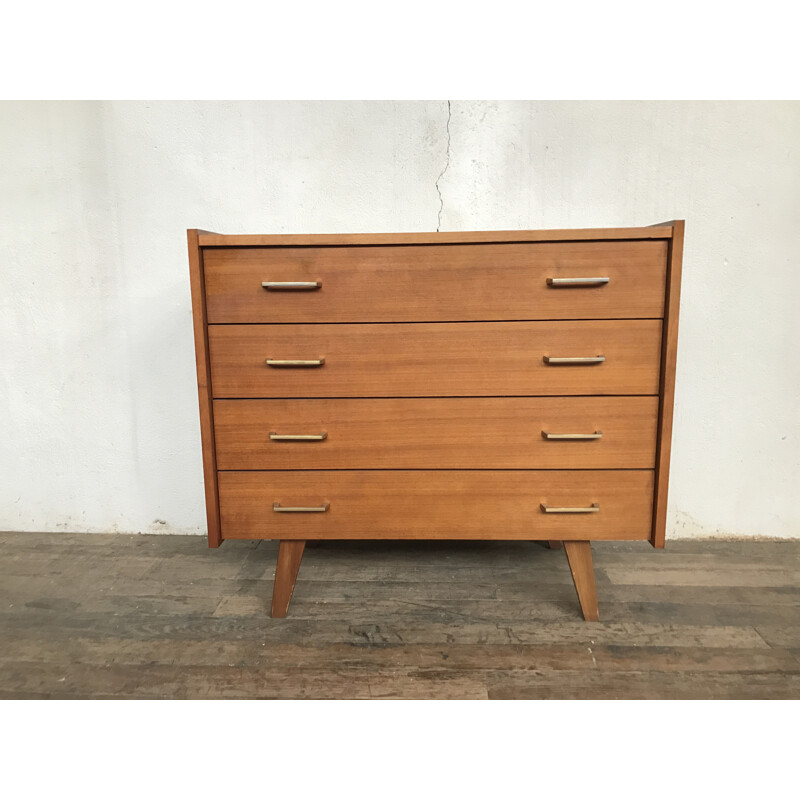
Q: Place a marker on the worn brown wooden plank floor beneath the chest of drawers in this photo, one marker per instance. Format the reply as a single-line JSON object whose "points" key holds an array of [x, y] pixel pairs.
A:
{"points": [[138, 616]]}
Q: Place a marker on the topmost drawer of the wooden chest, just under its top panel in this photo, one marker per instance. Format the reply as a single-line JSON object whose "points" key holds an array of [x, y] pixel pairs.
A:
{"points": [[435, 283]]}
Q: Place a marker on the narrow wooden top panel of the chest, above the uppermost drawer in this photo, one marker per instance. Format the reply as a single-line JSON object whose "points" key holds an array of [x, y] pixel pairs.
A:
{"points": [[208, 239]]}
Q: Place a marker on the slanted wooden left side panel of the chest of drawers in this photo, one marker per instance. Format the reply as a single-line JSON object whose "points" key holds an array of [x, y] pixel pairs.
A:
{"points": [[204, 390]]}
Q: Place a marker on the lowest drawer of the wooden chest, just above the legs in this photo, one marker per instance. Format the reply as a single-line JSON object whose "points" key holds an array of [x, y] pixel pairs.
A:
{"points": [[436, 504]]}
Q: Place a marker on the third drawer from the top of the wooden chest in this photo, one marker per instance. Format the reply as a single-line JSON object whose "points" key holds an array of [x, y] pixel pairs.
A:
{"points": [[437, 433]]}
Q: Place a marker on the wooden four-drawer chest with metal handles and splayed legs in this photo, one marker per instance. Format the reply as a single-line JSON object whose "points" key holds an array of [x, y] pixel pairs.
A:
{"points": [[491, 385]]}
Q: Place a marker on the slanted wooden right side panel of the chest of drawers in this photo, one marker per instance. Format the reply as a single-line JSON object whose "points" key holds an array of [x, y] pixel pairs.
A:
{"points": [[669, 354]]}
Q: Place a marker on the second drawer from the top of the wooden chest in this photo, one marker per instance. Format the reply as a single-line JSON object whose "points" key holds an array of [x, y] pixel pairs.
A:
{"points": [[436, 359]]}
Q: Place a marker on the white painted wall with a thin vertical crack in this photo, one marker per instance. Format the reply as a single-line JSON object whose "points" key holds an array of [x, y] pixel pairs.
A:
{"points": [[98, 405]]}
